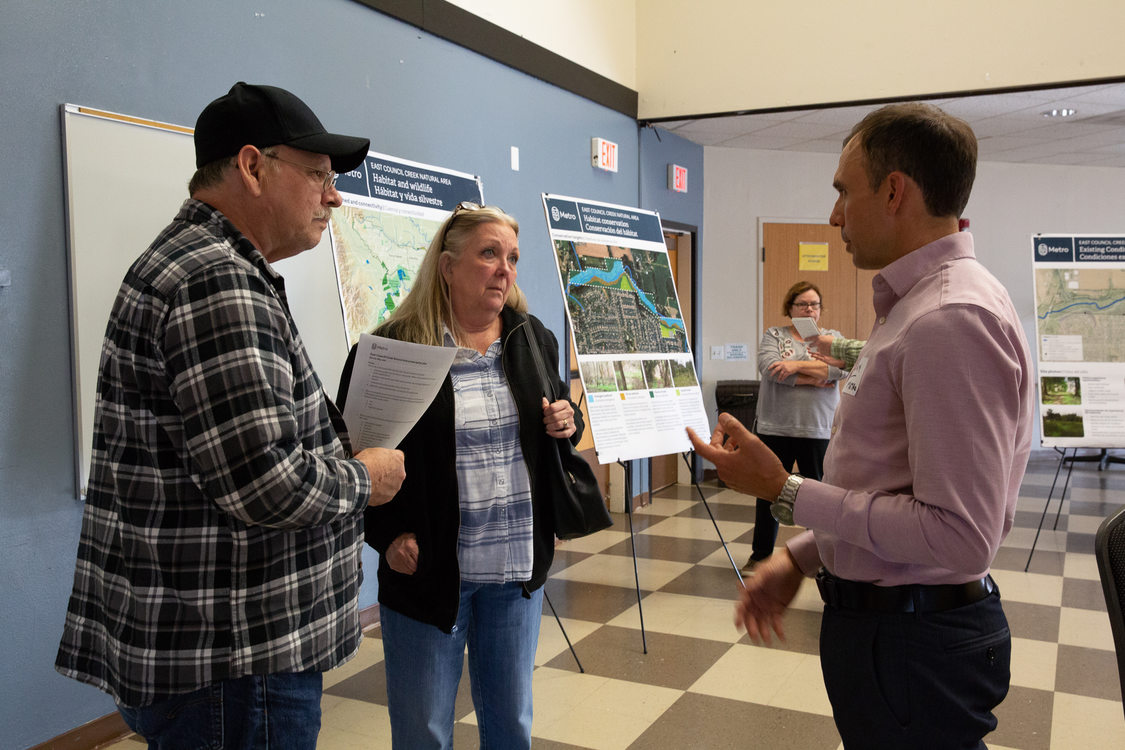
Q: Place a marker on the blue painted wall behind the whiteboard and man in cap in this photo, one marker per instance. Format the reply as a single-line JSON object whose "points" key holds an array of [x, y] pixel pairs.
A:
{"points": [[417, 97]]}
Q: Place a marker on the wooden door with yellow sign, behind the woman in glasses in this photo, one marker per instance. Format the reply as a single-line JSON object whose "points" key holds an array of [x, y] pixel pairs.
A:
{"points": [[845, 291]]}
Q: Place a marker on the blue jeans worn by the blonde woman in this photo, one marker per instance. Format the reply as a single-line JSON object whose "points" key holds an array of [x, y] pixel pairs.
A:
{"points": [[425, 667]]}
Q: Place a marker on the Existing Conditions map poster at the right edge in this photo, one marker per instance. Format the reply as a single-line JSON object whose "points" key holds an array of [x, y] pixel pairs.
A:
{"points": [[1081, 339]]}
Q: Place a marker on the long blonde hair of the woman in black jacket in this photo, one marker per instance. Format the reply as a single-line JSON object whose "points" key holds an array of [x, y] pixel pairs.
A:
{"points": [[427, 309]]}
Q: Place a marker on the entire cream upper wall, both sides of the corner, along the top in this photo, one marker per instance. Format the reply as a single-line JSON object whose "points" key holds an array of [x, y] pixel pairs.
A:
{"points": [[700, 57]]}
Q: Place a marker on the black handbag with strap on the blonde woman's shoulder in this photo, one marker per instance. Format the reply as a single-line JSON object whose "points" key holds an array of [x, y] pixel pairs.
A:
{"points": [[577, 500]]}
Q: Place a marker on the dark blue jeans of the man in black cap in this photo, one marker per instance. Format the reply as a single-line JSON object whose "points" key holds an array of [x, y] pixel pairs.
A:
{"points": [[274, 712]]}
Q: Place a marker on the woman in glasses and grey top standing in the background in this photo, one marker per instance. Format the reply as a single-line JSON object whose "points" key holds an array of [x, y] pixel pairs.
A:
{"points": [[797, 401]]}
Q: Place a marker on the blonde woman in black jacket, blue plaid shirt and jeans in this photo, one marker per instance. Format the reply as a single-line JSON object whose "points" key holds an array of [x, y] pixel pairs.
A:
{"points": [[466, 544]]}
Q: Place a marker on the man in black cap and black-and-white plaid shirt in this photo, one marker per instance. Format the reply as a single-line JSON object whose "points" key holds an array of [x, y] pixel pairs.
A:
{"points": [[219, 565]]}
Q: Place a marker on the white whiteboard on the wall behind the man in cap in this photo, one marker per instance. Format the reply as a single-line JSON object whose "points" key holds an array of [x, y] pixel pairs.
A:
{"points": [[125, 180]]}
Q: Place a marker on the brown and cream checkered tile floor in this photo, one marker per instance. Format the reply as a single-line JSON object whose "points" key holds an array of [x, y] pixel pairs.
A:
{"points": [[704, 685]]}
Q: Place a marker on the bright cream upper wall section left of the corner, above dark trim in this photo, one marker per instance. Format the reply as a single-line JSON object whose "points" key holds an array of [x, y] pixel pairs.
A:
{"points": [[600, 35]]}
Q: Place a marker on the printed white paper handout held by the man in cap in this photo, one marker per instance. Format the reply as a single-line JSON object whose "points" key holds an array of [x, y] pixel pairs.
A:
{"points": [[393, 384]]}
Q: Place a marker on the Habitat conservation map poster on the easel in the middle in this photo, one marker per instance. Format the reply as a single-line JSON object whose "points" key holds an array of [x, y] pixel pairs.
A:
{"points": [[629, 336]]}
